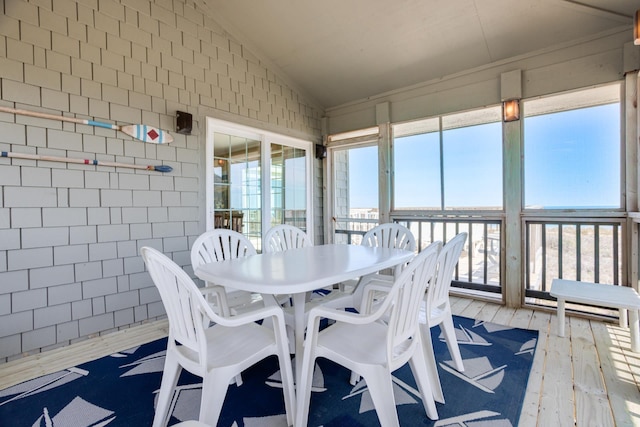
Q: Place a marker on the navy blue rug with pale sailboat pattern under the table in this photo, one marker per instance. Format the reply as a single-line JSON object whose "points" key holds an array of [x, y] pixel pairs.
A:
{"points": [[120, 389]]}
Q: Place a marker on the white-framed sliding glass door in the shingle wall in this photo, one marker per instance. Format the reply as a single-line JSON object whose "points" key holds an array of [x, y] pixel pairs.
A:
{"points": [[256, 179]]}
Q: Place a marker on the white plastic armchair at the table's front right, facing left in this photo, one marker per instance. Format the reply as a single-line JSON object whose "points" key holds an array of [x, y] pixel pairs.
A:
{"points": [[373, 348]]}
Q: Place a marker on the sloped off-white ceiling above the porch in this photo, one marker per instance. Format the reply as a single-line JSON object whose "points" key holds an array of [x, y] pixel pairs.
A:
{"points": [[339, 51]]}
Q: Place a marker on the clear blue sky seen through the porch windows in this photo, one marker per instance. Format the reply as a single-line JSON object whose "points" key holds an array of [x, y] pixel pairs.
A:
{"points": [[572, 160]]}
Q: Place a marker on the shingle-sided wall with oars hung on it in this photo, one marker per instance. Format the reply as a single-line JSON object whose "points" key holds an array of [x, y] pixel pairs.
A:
{"points": [[70, 233]]}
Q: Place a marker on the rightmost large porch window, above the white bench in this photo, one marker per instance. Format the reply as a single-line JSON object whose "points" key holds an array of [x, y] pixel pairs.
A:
{"points": [[572, 149]]}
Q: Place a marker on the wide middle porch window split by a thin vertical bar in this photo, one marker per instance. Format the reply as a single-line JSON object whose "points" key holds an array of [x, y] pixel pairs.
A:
{"points": [[453, 162]]}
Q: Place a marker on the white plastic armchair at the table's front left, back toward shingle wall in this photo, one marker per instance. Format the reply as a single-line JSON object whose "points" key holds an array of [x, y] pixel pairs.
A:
{"points": [[217, 353]]}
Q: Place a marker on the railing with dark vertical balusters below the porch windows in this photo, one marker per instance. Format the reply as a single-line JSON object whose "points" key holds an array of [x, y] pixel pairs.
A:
{"points": [[586, 249]]}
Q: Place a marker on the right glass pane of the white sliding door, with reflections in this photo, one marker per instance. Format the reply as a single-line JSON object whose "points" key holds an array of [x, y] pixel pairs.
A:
{"points": [[288, 186]]}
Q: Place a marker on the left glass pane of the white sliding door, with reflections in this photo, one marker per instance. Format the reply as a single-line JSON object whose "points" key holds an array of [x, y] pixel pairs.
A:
{"points": [[237, 185]]}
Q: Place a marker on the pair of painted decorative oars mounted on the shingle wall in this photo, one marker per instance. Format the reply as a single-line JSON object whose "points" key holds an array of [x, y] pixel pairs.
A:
{"points": [[142, 132]]}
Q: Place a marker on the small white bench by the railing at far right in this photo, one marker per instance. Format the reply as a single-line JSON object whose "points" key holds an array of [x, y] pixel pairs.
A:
{"points": [[621, 297]]}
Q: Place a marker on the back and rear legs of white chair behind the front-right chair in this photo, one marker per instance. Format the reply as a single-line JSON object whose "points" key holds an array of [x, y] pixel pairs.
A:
{"points": [[436, 309]]}
